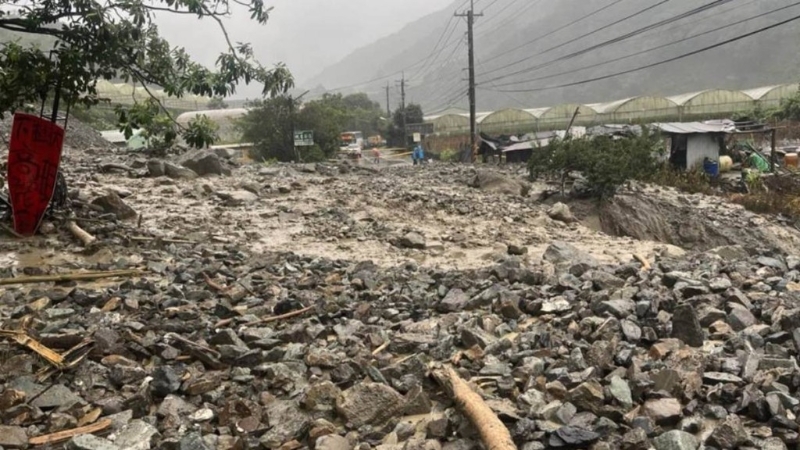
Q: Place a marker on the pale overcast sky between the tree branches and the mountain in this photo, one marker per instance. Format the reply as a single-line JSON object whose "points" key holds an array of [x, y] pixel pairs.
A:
{"points": [[307, 35]]}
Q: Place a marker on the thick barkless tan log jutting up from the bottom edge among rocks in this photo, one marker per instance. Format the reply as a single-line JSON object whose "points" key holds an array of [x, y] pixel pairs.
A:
{"points": [[493, 433]]}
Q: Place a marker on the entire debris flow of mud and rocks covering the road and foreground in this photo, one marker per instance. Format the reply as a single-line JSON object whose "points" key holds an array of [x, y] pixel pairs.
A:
{"points": [[306, 306]]}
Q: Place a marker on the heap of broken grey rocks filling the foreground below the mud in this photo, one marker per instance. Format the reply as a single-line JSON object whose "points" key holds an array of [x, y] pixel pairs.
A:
{"points": [[567, 352]]}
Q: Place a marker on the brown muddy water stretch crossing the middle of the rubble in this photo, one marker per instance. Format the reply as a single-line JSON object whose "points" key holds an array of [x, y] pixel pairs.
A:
{"points": [[380, 205]]}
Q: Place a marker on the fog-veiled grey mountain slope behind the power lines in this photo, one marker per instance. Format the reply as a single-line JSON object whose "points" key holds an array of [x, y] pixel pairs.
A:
{"points": [[527, 46]]}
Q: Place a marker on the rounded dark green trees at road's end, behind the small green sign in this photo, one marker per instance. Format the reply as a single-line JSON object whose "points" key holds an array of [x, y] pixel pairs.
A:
{"points": [[269, 125]]}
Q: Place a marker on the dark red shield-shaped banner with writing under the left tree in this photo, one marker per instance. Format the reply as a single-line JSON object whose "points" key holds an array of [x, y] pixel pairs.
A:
{"points": [[34, 154]]}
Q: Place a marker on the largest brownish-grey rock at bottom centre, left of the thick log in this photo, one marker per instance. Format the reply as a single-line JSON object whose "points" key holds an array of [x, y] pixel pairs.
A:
{"points": [[369, 404]]}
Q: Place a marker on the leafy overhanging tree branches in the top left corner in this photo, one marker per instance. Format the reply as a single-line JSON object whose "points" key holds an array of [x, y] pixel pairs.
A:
{"points": [[109, 40]]}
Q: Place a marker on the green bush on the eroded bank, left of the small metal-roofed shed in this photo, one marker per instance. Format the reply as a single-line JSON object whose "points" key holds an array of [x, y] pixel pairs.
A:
{"points": [[605, 162]]}
